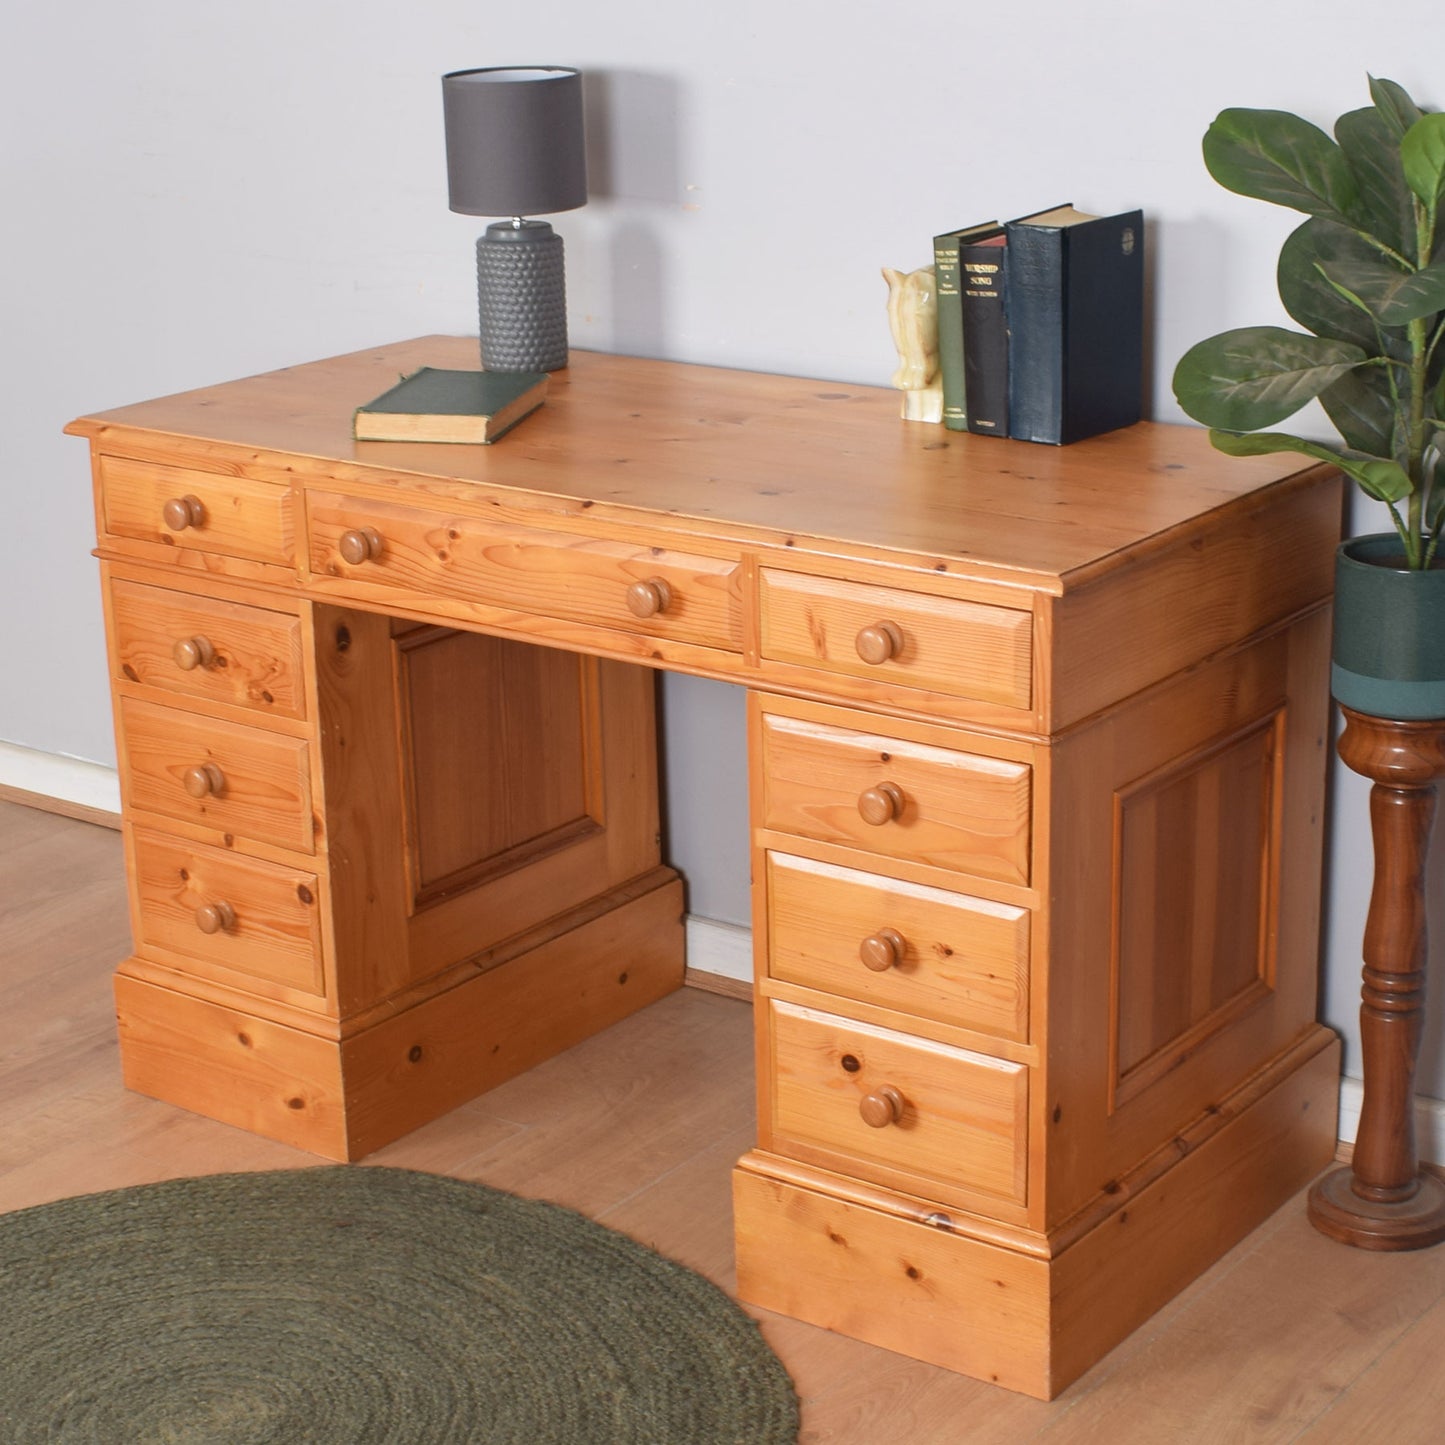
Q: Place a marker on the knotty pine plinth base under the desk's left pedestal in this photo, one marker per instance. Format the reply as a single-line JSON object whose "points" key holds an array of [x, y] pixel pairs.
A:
{"points": [[348, 1095]]}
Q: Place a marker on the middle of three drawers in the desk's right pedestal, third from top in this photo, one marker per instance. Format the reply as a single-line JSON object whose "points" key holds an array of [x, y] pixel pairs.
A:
{"points": [[936, 954]]}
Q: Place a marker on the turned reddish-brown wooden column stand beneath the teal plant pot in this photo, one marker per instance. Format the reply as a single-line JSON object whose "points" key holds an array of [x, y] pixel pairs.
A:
{"points": [[1385, 1202]]}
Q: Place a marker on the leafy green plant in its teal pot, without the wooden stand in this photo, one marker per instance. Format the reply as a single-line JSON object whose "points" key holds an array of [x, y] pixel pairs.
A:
{"points": [[1365, 275]]}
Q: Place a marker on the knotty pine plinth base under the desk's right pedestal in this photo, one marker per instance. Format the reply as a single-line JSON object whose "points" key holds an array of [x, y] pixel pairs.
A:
{"points": [[1030, 1319]]}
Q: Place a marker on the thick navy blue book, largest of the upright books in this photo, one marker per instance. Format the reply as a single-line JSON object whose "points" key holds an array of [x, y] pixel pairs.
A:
{"points": [[1076, 300]]}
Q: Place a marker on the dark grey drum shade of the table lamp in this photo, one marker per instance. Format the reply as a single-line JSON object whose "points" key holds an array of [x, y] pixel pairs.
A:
{"points": [[515, 141]]}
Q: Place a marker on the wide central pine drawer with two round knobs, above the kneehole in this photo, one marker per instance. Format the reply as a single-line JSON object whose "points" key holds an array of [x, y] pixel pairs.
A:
{"points": [[530, 569]]}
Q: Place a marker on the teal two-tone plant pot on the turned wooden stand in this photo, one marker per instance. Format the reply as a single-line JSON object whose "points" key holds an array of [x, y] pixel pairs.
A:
{"points": [[1389, 644]]}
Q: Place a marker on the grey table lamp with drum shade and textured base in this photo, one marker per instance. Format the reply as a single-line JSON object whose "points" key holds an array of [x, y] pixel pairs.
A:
{"points": [[515, 148]]}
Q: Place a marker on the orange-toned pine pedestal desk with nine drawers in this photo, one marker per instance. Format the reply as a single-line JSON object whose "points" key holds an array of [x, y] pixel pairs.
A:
{"points": [[1037, 755]]}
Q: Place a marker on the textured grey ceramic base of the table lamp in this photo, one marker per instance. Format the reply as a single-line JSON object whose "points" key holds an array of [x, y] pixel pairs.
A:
{"points": [[522, 298]]}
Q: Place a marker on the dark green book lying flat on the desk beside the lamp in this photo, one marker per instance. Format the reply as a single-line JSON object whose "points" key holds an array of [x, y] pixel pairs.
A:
{"points": [[450, 407]]}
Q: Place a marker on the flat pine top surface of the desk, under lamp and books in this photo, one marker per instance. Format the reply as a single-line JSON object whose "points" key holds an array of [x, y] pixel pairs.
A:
{"points": [[742, 454]]}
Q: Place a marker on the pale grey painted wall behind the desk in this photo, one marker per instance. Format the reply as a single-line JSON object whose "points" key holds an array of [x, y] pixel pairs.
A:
{"points": [[193, 193]]}
